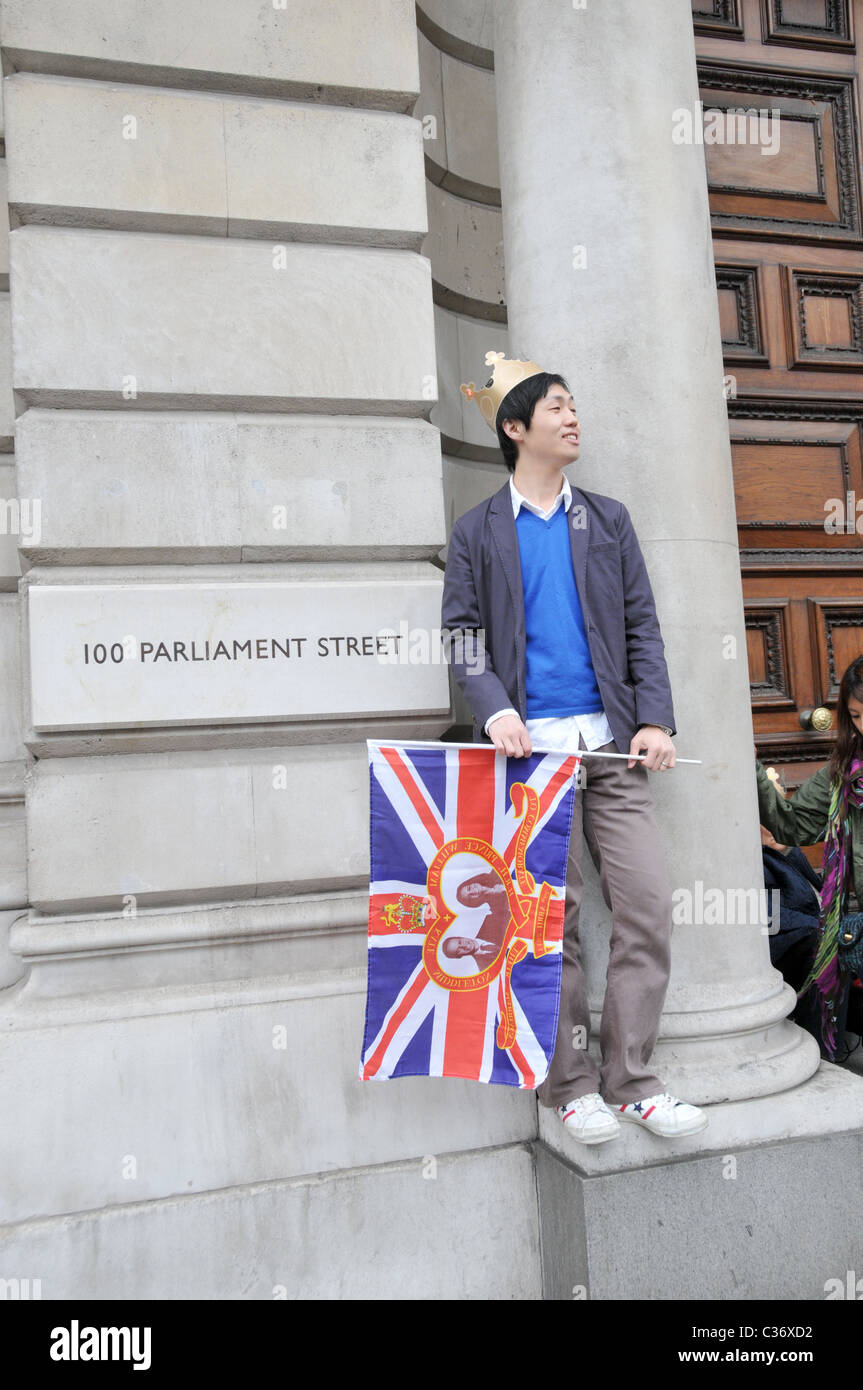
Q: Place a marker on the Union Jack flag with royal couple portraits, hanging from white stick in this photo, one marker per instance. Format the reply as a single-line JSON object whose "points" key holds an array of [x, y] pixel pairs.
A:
{"points": [[469, 857]]}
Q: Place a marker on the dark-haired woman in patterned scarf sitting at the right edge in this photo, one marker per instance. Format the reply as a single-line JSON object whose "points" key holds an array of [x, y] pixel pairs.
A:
{"points": [[829, 807]]}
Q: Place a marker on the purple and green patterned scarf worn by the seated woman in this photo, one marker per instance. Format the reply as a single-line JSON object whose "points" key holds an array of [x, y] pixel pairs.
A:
{"points": [[846, 792]]}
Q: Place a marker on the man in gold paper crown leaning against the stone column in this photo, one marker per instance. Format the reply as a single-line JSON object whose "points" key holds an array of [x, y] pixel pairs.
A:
{"points": [[552, 582]]}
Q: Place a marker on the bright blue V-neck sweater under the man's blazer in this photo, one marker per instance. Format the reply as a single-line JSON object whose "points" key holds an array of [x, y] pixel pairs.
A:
{"points": [[561, 676]]}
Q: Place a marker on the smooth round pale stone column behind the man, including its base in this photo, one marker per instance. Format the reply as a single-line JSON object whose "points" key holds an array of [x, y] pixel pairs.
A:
{"points": [[609, 279]]}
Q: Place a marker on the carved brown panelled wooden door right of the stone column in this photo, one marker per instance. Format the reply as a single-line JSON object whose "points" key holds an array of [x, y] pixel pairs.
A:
{"points": [[789, 247]]}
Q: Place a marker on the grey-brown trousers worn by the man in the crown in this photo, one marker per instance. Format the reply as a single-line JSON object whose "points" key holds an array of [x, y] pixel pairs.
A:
{"points": [[615, 815]]}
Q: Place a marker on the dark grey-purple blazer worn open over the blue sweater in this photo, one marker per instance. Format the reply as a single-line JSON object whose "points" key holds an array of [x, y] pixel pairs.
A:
{"points": [[483, 596]]}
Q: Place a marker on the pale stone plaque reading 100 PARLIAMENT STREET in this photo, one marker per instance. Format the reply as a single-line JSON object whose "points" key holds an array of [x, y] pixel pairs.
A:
{"points": [[141, 655]]}
